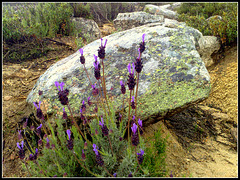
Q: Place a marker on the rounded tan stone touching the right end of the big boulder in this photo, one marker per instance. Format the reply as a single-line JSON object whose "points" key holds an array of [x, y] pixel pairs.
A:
{"points": [[207, 46]]}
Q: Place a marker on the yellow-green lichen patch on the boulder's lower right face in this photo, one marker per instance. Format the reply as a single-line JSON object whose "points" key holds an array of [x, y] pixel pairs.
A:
{"points": [[162, 97]]}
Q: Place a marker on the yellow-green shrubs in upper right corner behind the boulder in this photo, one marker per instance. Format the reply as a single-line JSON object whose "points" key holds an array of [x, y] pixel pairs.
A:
{"points": [[196, 15]]}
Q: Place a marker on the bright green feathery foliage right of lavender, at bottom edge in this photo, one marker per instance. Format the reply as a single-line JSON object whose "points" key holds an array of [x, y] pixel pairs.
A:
{"points": [[154, 160]]}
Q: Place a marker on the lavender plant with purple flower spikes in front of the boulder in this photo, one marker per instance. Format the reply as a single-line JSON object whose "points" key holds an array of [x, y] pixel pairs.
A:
{"points": [[96, 146]]}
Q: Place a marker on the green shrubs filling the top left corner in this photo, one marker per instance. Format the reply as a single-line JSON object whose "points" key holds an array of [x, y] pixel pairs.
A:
{"points": [[41, 20]]}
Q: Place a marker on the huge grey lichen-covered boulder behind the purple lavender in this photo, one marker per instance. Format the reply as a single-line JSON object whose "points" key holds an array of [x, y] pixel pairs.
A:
{"points": [[173, 75]]}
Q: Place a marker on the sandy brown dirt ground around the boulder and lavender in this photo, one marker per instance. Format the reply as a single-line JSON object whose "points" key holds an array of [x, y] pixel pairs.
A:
{"points": [[198, 159]]}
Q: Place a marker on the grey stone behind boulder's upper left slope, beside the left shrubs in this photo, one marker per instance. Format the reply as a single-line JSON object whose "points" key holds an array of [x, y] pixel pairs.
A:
{"points": [[86, 28]]}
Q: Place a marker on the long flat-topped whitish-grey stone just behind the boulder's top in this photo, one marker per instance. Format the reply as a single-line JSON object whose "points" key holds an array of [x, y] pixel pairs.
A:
{"points": [[126, 21]]}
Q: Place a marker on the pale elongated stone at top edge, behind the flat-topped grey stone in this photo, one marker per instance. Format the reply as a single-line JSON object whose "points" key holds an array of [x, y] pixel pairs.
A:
{"points": [[158, 10]]}
